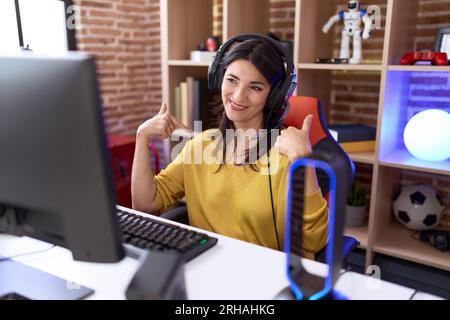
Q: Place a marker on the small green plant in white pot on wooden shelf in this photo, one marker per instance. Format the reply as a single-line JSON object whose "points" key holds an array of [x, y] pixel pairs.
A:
{"points": [[355, 211]]}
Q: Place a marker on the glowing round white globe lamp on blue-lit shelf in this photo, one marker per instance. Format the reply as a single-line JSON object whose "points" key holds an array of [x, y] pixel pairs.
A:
{"points": [[427, 135]]}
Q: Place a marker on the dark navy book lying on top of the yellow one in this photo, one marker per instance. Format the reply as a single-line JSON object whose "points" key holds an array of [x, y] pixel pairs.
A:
{"points": [[352, 132]]}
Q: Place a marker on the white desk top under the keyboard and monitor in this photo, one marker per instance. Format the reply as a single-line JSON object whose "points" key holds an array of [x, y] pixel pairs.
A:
{"points": [[232, 269]]}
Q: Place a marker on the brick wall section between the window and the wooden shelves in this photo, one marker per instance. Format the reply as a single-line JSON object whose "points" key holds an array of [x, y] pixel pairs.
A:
{"points": [[124, 37]]}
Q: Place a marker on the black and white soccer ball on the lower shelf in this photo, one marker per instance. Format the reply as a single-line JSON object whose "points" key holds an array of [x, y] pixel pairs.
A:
{"points": [[418, 207]]}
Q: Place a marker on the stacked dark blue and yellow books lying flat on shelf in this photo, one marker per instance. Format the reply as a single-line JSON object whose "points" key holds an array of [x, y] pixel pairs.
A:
{"points": [[354, 137]]}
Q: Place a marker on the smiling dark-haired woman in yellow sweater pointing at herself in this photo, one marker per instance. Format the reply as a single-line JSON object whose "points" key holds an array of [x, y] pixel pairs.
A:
{"points": [[231, 196]]}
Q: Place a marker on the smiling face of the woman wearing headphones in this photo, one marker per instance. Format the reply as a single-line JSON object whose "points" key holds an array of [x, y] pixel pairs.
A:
{"points": [[244, 95]]}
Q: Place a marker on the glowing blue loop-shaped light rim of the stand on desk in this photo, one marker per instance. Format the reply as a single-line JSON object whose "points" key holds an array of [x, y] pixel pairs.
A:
{"points": [[330, 232]]}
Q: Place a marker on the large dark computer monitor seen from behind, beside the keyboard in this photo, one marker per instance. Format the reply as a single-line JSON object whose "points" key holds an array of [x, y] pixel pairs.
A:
{"points": [[55, 175]]}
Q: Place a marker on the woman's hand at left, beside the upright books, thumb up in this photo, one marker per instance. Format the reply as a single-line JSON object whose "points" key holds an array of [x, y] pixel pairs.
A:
{"points": [[160, 126]]}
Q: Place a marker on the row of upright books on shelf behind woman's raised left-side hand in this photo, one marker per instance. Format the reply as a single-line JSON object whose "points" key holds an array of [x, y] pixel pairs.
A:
{"points": [[192, 101]]}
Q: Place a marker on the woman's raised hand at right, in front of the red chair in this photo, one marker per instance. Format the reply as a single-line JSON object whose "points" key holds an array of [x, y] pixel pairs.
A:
{"points": [[294, 143]]}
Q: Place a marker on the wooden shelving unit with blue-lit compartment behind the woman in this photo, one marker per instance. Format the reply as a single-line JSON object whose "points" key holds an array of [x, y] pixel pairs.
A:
{"points": [[185, 23]]}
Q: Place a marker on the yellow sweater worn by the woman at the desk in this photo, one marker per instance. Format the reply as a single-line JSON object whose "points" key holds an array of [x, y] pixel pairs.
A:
{"points": [[235, 201]]}
